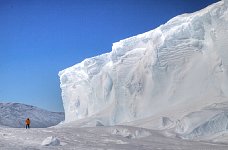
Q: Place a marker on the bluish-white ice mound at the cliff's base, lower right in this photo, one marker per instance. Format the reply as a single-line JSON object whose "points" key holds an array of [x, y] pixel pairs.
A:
{"points": [[204, 123]]}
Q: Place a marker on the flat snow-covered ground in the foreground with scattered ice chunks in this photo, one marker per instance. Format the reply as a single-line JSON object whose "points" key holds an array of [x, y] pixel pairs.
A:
{"points": [[97, 138]]}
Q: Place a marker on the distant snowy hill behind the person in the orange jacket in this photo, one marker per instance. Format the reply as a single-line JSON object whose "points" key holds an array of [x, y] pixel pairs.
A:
{"points": [[15, 114]]}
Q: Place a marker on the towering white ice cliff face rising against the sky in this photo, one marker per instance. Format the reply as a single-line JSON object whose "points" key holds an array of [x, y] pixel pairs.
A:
{"points": [[175, 69]]}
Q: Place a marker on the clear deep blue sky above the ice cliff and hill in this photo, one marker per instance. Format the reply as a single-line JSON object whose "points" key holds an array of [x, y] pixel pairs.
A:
{"points": [[38, 38]]}
